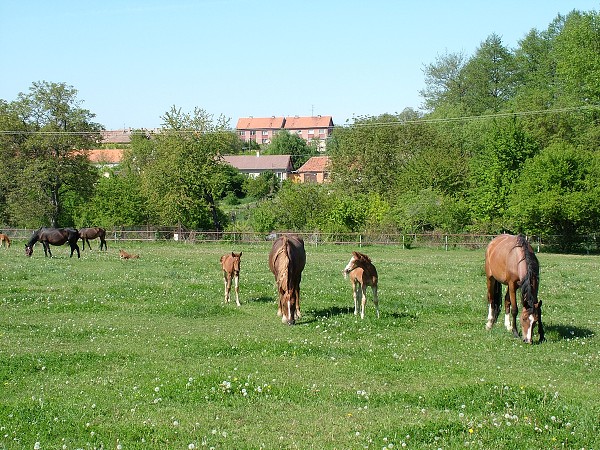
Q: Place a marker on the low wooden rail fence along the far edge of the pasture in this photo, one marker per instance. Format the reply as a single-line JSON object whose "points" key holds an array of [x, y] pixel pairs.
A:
{"points": [[580, 243]]}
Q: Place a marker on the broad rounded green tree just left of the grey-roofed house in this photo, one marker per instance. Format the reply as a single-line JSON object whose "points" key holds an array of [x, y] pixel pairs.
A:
{"points": [[181, 173]]}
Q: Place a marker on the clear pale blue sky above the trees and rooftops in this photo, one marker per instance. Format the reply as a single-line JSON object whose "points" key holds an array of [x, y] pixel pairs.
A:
{"points": [[132, 60]]}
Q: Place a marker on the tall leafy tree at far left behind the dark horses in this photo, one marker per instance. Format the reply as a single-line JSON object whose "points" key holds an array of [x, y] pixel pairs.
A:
{"points": [[51, 155]]}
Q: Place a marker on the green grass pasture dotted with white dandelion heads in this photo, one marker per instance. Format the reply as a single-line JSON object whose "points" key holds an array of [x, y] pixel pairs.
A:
{"points": [[104, 353]]}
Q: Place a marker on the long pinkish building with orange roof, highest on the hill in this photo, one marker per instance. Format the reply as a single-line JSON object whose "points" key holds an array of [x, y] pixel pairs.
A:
{"points": [[262, 130]]}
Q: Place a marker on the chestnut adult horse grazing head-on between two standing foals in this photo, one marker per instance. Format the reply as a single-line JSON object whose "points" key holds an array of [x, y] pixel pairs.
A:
{"points": [[286, 261]]}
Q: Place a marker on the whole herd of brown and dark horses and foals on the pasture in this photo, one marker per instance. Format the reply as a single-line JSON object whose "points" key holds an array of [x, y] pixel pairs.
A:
{"points": [[509, 260]]}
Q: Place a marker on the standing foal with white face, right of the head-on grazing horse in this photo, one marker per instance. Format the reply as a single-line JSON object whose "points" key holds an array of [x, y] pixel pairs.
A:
{"points": [[362, 274]]}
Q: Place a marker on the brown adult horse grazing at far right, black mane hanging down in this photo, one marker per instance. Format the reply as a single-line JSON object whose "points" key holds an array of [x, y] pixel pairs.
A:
{"points": [[510, 260]]}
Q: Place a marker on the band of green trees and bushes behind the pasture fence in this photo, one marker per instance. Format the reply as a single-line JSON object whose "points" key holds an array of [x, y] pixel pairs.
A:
{"points": [[507, 140]]}
